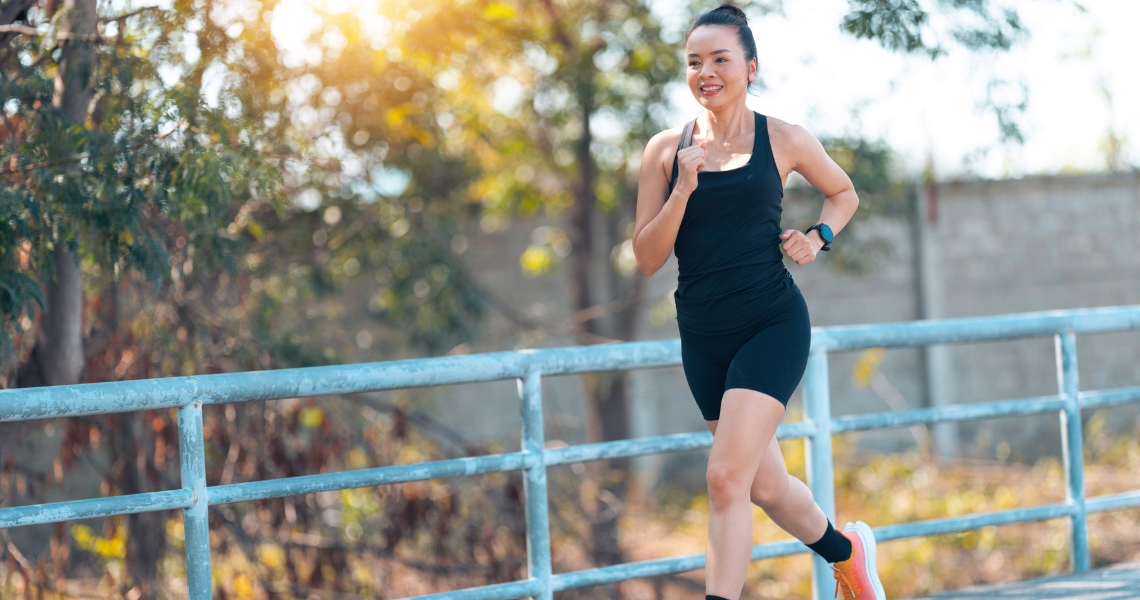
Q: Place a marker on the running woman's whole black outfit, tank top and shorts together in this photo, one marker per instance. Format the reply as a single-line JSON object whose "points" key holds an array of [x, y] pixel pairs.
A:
{"points": [[743, 321]]}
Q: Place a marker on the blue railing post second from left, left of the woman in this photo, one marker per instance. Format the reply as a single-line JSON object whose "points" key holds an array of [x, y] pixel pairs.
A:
{"points": [[539, 524]]}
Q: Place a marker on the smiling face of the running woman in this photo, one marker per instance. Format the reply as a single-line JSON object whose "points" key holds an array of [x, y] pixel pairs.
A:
{"points": [[718, 72]]}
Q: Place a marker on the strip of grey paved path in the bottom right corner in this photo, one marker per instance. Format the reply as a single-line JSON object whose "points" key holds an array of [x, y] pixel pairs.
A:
{"points": [[1119, 582]]}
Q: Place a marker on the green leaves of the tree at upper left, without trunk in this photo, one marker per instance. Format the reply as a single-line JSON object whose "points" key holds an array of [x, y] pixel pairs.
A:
{"points": [[149, 155]]}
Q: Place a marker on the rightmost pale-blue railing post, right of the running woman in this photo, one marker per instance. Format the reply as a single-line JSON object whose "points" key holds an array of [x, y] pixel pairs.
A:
{"points": [[1073, 448]]}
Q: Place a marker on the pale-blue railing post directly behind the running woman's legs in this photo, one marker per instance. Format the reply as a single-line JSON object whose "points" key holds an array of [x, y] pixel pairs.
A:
{"points": [[818, 450]]}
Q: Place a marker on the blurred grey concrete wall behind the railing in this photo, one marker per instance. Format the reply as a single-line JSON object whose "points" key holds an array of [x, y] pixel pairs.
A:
{"points": [[983, 248]]}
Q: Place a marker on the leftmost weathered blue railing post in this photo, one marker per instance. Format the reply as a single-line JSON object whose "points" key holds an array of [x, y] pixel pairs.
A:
{"points": [[196, 521]]}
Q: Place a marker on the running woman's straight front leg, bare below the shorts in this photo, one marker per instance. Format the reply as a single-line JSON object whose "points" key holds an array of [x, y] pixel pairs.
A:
{"points": [[742, 437]]}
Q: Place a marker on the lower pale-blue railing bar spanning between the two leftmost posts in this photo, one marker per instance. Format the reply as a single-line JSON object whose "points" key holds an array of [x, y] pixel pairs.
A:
{"points": [[308, 484]]}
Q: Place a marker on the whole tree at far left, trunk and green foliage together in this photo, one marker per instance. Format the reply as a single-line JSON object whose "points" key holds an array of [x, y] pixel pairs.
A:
{"points": [[110, 169]]}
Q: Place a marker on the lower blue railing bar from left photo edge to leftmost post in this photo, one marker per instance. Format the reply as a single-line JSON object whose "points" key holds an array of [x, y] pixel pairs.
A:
{"points": [[92, 508]]}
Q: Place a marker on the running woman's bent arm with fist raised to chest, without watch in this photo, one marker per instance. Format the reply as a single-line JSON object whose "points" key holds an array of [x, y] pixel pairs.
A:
{"points": [[658, 216]]}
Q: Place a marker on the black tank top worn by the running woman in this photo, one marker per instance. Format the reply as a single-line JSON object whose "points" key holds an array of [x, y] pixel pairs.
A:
{"points": [[730, 267]]}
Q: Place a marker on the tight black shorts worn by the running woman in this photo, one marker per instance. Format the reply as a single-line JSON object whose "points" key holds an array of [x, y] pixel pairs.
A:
{"points": [[769, 356]]}
